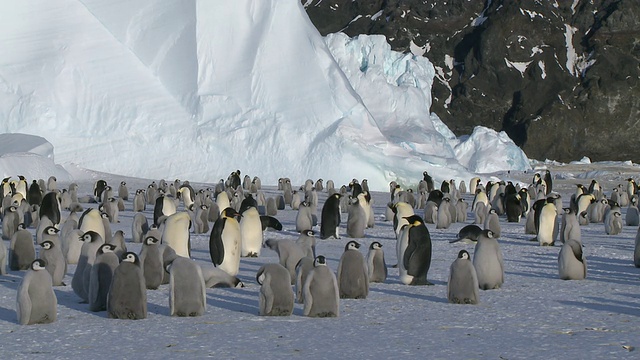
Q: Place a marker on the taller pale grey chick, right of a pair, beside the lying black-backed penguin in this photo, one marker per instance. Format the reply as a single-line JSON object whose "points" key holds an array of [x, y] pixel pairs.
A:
{"points": [[488, 261]]}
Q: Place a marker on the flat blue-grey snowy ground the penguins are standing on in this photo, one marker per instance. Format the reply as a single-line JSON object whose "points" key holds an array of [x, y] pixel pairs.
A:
{"points": [[533, 315]]}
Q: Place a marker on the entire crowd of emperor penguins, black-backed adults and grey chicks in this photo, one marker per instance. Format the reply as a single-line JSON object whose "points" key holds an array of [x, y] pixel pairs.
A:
{"points": [[236, 216]]}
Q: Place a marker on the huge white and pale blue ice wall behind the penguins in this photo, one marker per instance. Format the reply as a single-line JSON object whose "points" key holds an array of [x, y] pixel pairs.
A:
{"points": [[196, 89]]}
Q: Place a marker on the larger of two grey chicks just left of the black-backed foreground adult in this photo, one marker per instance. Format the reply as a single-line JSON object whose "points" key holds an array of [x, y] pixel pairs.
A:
{"points": [[353, 274]]}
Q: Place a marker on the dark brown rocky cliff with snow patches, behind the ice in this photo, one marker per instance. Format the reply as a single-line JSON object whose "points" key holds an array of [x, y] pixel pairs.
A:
{"points": [[560, 77]]}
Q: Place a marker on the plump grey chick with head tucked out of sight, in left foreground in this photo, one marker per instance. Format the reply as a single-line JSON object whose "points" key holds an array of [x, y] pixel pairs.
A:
{"points": [[187, 295]]}
